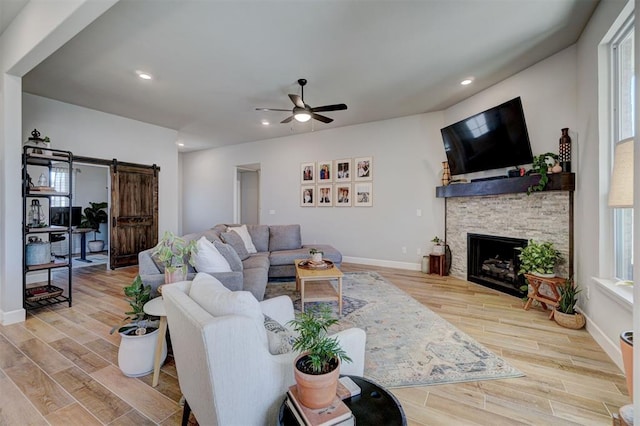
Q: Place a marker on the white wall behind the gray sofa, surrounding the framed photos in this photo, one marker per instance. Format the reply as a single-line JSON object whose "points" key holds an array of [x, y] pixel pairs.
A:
{"points": [[407, 154]]}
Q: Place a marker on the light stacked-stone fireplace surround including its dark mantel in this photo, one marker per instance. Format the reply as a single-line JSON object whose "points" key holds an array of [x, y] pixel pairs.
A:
{"points": [[541, 216]]}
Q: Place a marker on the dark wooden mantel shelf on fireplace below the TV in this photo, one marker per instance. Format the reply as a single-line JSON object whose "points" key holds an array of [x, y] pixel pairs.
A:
{"points": [[557, 182]]}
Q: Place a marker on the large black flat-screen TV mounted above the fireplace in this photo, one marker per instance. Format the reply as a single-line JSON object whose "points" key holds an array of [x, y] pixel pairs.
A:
{"points": [[492, 139]]}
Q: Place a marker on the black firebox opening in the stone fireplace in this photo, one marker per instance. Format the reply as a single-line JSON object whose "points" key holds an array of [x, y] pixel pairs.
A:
{"points": [[493, 261]]}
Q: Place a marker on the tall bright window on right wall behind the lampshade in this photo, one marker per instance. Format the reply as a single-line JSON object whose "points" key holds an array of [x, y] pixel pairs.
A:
{"points": [[623, 89]]}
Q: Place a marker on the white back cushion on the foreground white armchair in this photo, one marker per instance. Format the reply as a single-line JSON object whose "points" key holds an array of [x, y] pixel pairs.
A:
{"points": [[218, 300]]}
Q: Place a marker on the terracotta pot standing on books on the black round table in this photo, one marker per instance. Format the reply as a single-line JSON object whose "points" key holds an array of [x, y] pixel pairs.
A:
{"points": [[316, 390]]}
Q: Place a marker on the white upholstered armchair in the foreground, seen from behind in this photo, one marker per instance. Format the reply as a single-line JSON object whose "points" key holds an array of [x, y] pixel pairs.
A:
{"points": [[225, 370]]}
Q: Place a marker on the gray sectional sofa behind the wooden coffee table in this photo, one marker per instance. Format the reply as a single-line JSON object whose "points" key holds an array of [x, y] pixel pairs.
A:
{"points": [[277, 247]]}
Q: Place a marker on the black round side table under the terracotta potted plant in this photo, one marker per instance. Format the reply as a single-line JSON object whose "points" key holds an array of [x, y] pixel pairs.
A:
{"points": [[374, 406]]}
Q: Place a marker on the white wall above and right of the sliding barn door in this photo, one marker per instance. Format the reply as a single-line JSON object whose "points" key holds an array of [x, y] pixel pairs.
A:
{"points": [[91, 133]]}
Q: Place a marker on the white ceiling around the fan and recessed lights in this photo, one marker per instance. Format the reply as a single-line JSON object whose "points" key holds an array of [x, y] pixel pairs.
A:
{"points": [[215, 61]]}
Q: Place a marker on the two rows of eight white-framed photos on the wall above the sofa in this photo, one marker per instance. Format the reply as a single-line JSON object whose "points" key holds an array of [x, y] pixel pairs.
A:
{"points": [[347, 182]]}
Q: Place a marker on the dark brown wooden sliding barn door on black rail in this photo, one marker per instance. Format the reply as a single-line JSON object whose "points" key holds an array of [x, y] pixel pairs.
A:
{"points": [[134, 209]]}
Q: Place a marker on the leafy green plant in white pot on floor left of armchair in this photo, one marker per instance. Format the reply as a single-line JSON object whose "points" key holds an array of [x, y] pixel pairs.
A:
{"points": [[138, 332]]}
